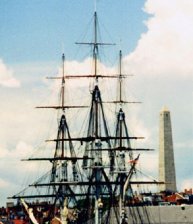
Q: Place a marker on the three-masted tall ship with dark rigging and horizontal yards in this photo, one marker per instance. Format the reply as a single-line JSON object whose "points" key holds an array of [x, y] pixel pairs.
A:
{"points": [[93, 172]]}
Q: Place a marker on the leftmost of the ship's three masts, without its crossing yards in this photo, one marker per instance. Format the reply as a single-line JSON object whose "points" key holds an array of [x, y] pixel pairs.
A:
{"points": [[61, 152]]}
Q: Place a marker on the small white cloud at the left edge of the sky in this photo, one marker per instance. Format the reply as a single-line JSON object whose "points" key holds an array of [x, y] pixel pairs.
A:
{"points": [[6, 76]]}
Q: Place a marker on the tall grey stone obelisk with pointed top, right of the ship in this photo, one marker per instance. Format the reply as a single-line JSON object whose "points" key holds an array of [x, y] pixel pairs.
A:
{"points": [[166, 154]]}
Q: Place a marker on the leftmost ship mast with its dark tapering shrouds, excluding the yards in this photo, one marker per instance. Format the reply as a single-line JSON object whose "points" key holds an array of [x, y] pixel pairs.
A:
{"points": [[64, 151]]}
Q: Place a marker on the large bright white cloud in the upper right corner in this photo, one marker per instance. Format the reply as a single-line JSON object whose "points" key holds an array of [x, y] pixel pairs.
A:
{"points": [[165, 49]]}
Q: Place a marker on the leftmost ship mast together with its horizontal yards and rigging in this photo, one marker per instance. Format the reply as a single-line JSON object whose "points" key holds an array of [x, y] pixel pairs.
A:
{"points": [[65, 171]]}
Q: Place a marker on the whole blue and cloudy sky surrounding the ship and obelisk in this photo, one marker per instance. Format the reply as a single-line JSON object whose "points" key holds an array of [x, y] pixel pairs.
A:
{"points": [[157, 42]]}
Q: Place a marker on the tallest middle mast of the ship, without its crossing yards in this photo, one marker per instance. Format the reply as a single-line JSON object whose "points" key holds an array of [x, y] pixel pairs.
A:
{"points": [[97, 121]]}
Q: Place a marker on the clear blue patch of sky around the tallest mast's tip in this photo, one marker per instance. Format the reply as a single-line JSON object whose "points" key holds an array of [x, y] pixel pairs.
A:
{"points": [[41, 30]]}
